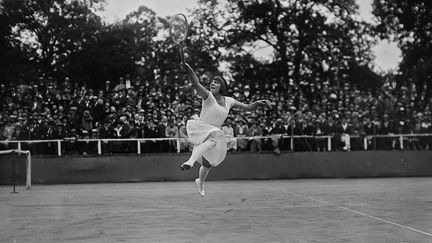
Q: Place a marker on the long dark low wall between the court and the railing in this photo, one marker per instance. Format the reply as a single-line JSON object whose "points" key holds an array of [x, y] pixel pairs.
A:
{"points": [[237, 166]]}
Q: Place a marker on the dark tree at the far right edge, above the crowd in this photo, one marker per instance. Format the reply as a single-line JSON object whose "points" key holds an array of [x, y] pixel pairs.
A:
{"points": [[409, 23]]}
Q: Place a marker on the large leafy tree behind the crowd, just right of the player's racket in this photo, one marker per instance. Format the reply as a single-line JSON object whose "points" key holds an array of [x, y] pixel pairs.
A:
{"points": [[312, 40]]}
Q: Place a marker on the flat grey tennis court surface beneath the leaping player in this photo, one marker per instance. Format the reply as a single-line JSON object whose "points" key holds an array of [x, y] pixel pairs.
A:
{"points": [[307, 210]]}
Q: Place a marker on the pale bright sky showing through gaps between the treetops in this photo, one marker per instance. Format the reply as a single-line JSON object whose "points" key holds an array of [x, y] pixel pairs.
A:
{"points": [[387, 54]]}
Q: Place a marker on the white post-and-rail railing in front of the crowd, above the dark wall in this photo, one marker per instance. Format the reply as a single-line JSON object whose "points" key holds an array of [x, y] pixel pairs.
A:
{"points": [[366, 140]]}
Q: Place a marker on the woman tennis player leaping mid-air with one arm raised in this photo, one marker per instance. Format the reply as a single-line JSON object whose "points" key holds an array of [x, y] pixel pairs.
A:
{"points": [[205, 133]]}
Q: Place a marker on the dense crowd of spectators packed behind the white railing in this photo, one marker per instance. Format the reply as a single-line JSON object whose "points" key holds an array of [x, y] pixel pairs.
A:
{"points": [[135, 108]]}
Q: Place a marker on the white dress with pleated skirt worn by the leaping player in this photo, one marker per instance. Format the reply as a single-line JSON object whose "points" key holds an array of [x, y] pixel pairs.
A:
{"points": [[209, 125]]}
